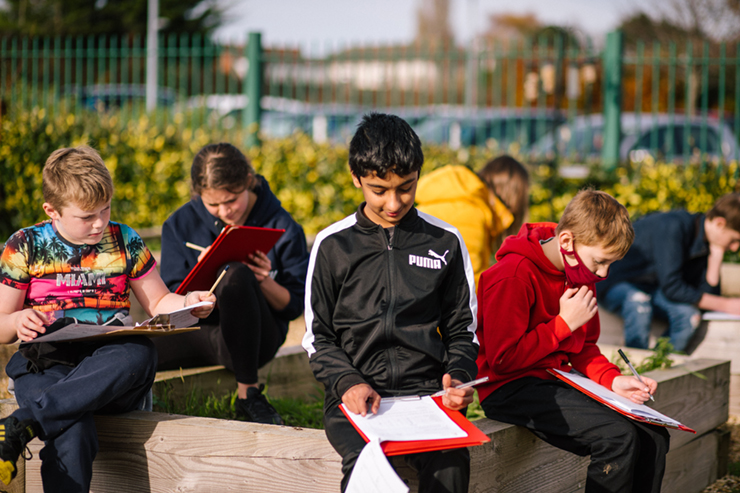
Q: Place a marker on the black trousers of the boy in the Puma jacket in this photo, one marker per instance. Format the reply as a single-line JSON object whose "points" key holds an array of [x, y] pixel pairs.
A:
{"points": [[443, 471]]}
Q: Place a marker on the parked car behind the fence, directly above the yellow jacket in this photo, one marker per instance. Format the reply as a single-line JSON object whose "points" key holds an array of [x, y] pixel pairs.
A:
{"points": [[504, 126]]}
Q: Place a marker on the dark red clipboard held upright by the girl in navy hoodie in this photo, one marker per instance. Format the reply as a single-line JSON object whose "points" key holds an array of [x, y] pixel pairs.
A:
{"points": [[234, 244]]}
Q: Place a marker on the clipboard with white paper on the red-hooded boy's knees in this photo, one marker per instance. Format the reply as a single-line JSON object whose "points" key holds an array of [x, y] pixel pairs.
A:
{"points": [[612, 400]]}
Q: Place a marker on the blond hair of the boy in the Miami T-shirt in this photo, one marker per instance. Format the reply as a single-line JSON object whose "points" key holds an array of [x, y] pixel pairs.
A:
{"points": [[76, 175]]}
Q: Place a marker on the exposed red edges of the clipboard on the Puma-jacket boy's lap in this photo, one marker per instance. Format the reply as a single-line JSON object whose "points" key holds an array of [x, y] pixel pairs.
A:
{"points": [[475, 436]]}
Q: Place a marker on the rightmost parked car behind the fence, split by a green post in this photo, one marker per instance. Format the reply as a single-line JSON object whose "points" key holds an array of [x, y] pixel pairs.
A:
{"points": [[660, 136]]}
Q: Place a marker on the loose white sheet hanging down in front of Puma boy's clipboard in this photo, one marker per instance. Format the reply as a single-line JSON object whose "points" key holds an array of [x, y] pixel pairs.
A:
{"points": [[374, 474]]}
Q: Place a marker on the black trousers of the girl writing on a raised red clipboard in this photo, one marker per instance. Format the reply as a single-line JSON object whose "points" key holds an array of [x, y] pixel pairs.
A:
{"points": [[240, 334]]}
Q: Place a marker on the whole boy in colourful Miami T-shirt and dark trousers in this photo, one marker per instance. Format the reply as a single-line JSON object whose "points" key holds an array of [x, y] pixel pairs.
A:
{"points": [[76, 265]]}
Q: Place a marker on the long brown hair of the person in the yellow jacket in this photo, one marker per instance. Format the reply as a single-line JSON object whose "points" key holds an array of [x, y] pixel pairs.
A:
{"points": [[508, 179]]}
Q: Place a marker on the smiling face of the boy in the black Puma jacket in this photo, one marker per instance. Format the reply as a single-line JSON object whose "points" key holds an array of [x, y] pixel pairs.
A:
{"points": [[387, 199]]}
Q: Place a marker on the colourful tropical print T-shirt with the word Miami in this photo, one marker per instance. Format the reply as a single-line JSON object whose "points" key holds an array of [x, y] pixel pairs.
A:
{"points": [[61, 279]]}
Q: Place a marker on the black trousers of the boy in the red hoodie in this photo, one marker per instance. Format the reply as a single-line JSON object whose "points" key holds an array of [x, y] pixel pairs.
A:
{"points": [[626, 456]]}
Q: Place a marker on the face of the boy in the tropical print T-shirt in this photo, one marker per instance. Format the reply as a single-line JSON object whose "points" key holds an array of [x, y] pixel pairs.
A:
{"points": [[78, 226]]}
